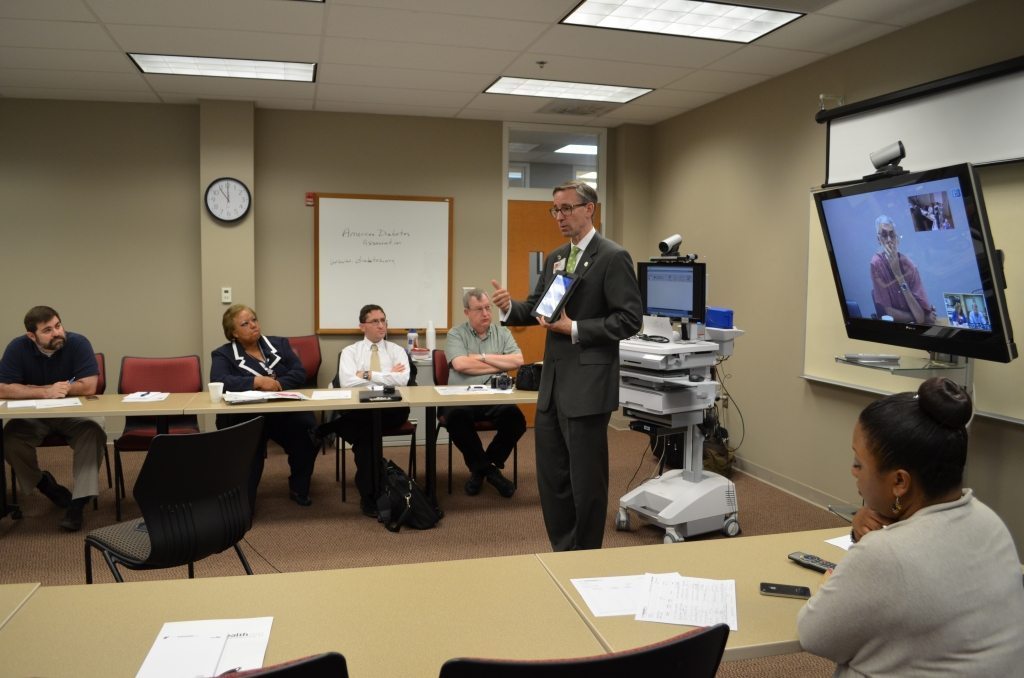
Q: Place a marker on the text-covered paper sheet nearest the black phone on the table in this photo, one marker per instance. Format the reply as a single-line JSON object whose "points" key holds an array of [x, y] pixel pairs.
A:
{"points": [[691, 602]]}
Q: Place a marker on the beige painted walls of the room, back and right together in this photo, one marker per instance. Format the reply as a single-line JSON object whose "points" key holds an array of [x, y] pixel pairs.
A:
{"points": [[101, 215]]}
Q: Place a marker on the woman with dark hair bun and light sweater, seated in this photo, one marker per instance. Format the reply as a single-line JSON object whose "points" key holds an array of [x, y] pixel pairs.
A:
{"points": [[932, 585]]}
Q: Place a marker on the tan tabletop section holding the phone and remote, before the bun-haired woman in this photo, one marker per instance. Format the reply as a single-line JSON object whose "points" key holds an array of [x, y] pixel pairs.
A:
{"points": [[767, 625]]}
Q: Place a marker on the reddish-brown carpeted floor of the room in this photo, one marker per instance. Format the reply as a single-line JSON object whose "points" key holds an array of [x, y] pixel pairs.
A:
{"points": [[331, 534]]}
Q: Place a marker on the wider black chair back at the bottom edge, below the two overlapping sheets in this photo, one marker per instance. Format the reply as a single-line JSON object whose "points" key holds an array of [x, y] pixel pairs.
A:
{"points": [[694, 655]]}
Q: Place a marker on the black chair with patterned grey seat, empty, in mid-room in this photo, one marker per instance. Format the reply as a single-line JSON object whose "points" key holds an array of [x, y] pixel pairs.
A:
{"points": [[194, 493]]}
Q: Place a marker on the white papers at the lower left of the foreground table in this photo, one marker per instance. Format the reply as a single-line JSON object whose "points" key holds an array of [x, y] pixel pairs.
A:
{"points": [[207, 648]]}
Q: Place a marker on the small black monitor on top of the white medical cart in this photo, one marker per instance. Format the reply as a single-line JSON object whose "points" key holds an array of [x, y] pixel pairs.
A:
{"points": [[673, 289]]}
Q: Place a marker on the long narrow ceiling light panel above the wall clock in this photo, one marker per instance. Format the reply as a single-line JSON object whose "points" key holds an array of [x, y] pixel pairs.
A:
{"points": [[225, 68]]}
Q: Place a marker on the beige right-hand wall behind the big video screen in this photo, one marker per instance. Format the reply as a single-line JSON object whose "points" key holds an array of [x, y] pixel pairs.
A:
{"points": [[736, 177]]}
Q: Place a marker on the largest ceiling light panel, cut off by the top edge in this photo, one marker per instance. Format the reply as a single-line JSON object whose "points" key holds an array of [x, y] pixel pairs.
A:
{"points": [[713, 21]]}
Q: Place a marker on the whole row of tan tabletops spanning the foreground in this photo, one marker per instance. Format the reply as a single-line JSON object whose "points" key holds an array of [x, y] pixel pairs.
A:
{"points": [[408, 620]]}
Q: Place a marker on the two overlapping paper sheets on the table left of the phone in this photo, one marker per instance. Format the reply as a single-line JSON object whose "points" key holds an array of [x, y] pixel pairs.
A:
{"points": [[668, 599]]}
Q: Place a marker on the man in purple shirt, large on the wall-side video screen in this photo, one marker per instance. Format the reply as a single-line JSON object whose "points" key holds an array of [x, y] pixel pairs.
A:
{"points": [[898, 291]]}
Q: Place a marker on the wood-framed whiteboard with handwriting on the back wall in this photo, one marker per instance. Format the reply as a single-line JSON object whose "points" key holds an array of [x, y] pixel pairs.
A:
{"points": [[394, 251]]}
